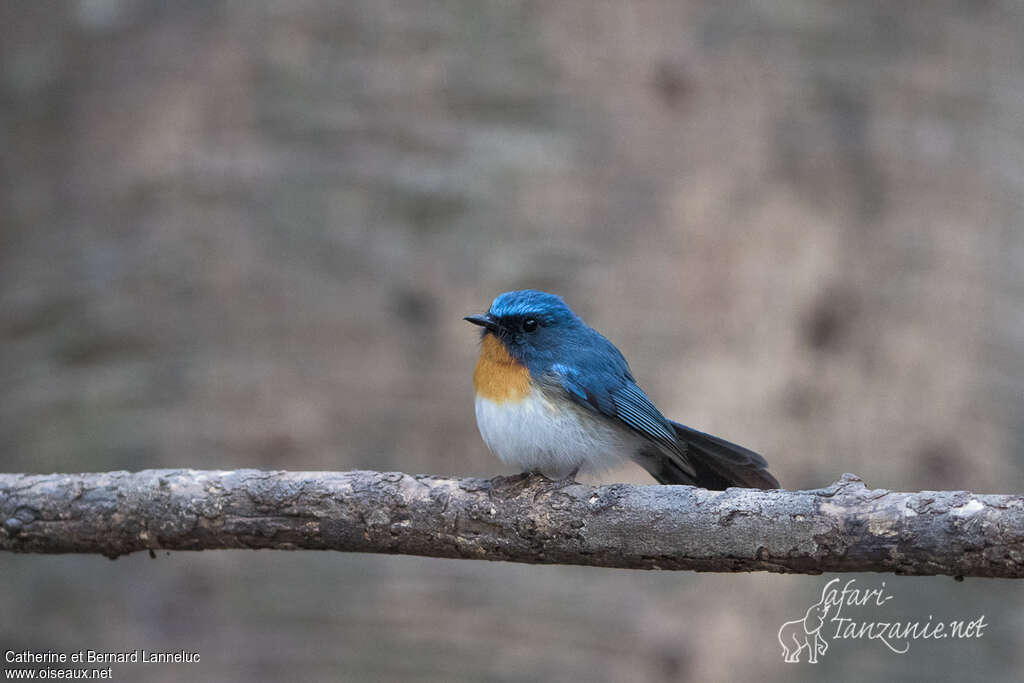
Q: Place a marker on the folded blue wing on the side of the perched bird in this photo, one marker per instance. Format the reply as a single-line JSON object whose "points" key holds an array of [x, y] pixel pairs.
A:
{"points": [[617, 396]]}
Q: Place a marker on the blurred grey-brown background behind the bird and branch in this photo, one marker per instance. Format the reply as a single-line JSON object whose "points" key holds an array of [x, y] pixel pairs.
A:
{"points": [[244, 234]]}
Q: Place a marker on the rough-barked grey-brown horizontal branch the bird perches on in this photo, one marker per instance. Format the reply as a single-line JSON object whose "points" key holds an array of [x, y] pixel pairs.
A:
{"points": [[843, 528]]}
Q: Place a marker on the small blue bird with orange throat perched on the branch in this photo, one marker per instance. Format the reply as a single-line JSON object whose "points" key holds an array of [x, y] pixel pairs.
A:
{"points": [[556, 397]]}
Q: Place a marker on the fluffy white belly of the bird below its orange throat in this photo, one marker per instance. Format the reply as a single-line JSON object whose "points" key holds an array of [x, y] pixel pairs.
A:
{"points": [[557, 439]]}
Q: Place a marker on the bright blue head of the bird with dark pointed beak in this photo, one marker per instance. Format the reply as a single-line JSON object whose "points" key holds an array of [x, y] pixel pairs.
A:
{"points": [[533, 326]]}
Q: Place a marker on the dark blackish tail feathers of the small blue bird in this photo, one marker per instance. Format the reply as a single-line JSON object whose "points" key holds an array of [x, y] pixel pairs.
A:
{"points": [[719, 464]]}
